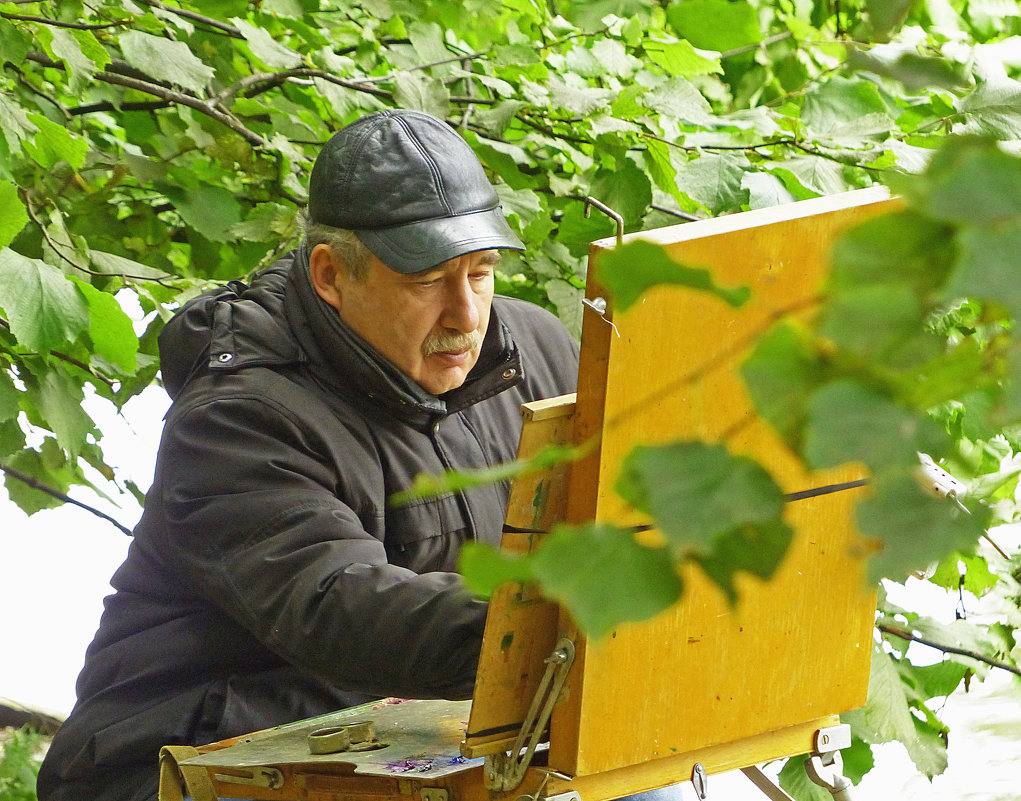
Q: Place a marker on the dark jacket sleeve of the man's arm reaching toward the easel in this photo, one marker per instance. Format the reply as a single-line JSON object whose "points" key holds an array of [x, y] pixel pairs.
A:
{"points": [[263, 524]]}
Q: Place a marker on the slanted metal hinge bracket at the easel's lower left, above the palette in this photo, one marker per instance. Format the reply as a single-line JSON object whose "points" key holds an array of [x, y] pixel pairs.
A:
{"points": [[505, 772]]}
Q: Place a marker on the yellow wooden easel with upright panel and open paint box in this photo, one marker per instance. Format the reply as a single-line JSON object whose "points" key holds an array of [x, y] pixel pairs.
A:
{"points": [[703, 688]]}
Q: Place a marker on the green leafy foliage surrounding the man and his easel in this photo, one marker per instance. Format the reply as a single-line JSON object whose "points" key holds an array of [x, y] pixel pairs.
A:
{"points": [[152, 148]]}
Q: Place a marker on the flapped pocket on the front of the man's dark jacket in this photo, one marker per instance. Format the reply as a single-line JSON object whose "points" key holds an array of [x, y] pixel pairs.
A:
{"points": [[427, 535]]}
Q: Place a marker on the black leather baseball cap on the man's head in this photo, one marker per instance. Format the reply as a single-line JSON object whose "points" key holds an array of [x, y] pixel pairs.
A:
{"points": [[412, 190]]}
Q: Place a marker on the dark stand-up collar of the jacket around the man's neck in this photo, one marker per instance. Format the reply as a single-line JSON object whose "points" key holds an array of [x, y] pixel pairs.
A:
{"points": [[347, 365]]}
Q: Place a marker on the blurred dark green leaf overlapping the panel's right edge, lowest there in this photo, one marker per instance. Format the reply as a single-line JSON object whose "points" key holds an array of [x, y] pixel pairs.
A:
{"points": [[912, 527]]}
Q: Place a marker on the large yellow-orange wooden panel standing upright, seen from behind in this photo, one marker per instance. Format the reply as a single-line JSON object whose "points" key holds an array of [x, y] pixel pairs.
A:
{"points": [[798, 648]]}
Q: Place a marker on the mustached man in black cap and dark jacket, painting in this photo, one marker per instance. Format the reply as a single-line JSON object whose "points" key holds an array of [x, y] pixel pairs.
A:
{"points": [[270, 580]]}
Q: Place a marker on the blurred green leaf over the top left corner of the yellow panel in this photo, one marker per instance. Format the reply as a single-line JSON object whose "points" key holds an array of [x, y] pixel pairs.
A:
{"points": [[629, 272]]}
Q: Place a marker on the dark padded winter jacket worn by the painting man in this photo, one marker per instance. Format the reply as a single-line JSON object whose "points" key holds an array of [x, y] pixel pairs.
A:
{"points": [[269, 580]]}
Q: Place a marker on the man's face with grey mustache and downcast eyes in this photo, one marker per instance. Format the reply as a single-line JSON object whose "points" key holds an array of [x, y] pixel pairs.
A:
{"points": [[429, 325]]}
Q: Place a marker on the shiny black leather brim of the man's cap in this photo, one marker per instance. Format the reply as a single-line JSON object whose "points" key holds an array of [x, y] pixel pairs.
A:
{"points": [[418, 246]]}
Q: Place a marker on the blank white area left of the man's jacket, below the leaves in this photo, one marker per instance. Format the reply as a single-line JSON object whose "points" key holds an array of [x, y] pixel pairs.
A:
{"points": [[57, 565]]}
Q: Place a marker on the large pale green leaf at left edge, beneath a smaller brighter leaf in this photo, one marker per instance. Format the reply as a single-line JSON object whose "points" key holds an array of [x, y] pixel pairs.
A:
{"points": [[43, 309]]}
